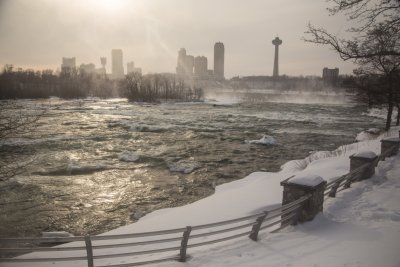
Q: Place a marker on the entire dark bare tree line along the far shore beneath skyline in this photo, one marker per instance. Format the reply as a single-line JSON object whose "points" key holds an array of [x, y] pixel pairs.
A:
{"points": [[75, 83]]}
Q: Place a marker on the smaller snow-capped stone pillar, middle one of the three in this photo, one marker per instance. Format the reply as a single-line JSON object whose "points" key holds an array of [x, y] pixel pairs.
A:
{"points": [[365, 159]]}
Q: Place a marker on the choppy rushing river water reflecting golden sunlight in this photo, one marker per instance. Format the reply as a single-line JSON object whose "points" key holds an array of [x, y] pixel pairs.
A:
{"points": [[100, 164]]}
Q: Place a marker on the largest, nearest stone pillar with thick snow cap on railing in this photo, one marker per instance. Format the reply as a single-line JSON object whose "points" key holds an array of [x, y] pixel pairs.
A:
{"points": [[302, 185]]}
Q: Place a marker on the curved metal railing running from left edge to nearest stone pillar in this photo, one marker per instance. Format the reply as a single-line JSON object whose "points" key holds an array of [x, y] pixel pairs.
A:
{"points": [[94, 248]]}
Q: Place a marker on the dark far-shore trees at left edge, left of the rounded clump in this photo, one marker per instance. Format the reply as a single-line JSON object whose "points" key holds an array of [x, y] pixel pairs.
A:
{"points": [[70, 83]]}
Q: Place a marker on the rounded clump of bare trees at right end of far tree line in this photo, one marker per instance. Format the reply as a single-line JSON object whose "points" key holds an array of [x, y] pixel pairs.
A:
{"points": [[157, 87]]}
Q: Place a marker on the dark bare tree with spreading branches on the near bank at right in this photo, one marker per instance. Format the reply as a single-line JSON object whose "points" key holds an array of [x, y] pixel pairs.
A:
{"points": [[374, 47]]}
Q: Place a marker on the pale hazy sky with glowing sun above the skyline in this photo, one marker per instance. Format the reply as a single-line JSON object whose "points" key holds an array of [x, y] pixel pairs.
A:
{"points": [[38, 33]]}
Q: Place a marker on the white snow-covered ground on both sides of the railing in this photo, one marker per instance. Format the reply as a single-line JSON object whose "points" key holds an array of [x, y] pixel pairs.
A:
{"points": [[360, 227]]}
